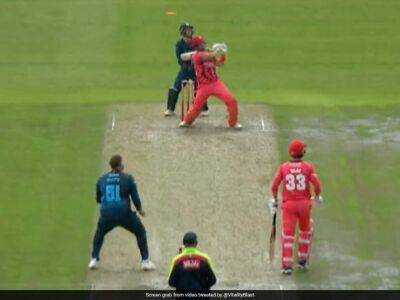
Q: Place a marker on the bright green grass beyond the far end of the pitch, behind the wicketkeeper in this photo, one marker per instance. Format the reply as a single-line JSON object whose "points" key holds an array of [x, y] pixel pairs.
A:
{"points": [[291, 52]]}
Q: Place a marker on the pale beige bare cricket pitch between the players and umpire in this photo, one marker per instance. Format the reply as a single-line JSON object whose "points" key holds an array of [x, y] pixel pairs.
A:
{"points": [[208, 179]]}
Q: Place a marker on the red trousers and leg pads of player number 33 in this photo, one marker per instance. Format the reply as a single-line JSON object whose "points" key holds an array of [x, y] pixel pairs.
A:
{"points": [[293, 213]]}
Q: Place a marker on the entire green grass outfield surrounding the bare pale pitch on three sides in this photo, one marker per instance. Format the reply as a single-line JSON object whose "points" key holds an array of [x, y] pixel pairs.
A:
{"points": [[62, 62]]}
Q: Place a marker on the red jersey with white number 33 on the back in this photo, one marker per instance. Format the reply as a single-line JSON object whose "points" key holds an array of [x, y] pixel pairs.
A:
{"points": [[296, 177]]}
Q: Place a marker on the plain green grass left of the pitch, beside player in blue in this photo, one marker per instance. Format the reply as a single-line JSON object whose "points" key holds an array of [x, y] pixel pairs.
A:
{"points": [[51, 158]]}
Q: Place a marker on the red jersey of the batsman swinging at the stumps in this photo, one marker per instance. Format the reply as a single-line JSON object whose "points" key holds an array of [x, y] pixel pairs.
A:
{"points": [[205, 70]]}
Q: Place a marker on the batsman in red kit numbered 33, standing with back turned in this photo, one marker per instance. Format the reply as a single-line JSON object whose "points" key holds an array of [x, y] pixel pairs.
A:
{"points": [[296, 177]]}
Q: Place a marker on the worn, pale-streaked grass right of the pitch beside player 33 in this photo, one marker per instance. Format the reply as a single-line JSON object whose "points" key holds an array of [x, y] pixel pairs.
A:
{"points": [[356, 152]]}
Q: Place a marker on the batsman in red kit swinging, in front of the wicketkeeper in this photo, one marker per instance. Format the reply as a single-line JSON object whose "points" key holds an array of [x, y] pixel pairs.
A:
{"points": [[205, 63]]}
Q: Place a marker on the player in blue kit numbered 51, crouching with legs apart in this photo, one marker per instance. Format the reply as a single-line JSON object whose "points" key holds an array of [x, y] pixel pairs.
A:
{"points": [[114, 192]]}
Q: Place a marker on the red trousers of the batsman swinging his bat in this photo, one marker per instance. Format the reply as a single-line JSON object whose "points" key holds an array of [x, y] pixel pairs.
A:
{"points": [[218, 90]]}
